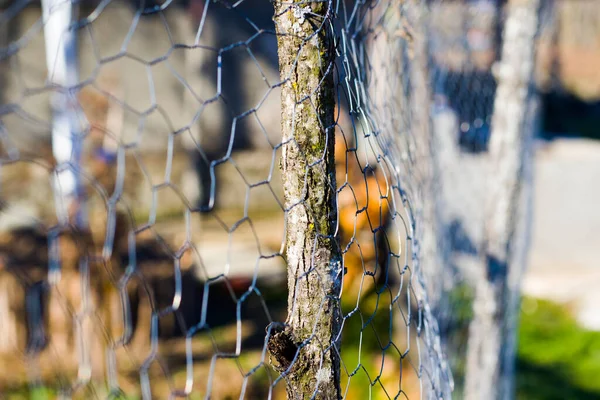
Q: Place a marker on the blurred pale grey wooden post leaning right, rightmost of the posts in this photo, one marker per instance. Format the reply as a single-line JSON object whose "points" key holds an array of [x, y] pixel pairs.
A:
{"points": [[491, 338]]}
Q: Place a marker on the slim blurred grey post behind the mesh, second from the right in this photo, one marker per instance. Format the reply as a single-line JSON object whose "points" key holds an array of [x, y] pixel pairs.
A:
{"points": [[430, 233]]}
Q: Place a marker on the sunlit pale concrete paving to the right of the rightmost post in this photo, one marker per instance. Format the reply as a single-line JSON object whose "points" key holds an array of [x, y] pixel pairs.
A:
{"points": [[565, 254]]}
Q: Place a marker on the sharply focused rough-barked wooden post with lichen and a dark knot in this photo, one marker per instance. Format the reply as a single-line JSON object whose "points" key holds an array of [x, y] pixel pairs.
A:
{"points": [[306, 350]]}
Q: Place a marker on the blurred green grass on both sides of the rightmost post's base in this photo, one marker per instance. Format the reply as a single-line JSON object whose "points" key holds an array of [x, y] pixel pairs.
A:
{"points": [[557, 358]]}
